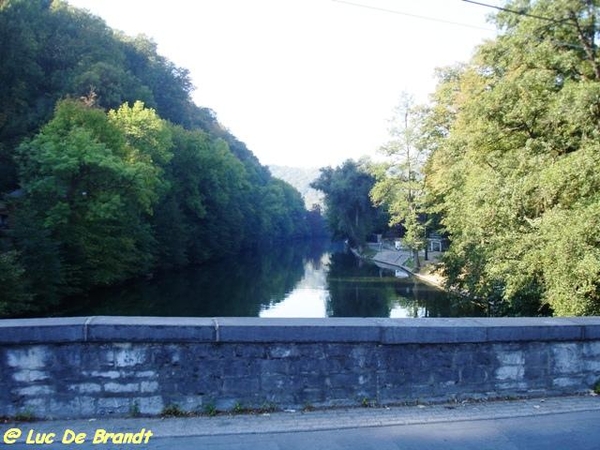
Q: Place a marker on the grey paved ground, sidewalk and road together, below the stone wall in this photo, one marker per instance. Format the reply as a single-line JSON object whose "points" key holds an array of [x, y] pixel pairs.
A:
{"points": [[553, 423]]}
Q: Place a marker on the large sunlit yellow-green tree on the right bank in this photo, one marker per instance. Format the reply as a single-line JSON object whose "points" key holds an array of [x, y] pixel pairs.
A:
{"points": [[514, 168]]}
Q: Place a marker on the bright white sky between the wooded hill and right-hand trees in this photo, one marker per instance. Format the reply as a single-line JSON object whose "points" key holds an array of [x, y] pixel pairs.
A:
{"points": [[305, 83]]}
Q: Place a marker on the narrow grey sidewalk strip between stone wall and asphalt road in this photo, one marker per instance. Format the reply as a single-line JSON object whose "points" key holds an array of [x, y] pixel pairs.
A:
{"points": [[321, 420]]}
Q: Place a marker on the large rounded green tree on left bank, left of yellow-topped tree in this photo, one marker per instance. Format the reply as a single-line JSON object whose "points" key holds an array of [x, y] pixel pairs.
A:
{"points": [[90, 192]]}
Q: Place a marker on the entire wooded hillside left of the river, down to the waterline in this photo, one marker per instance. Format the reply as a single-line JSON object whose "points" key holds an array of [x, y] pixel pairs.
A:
{"points": [[108, 170]]}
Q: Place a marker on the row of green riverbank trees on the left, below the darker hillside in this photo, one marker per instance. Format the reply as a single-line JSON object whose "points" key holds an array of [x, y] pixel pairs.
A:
{"points": [[112, 196]]}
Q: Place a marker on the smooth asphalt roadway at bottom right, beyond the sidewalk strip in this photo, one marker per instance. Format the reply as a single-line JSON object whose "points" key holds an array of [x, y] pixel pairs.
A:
{"points": [[558, 431]]}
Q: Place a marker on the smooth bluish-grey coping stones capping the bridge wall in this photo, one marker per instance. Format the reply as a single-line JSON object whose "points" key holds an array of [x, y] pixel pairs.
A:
{"points": [[105, 329]]}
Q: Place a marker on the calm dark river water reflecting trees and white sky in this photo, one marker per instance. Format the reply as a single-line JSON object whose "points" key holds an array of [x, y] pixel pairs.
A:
{"points": [[305, 279]]}
